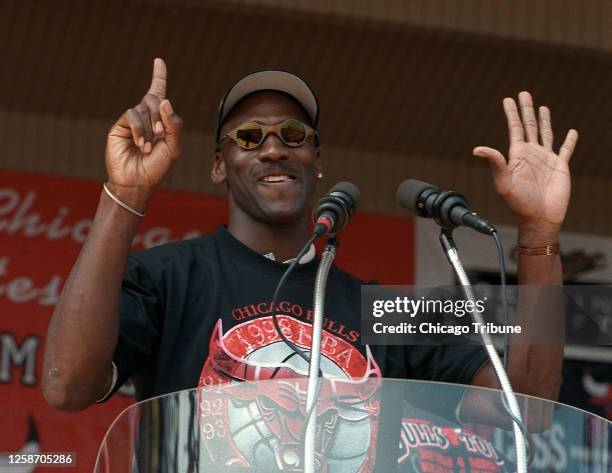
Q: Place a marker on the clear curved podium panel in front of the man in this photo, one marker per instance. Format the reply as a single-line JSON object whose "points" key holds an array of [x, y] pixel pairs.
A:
{"points": [[375, 425]]}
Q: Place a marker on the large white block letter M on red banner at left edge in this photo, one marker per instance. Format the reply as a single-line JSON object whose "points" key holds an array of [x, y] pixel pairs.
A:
{"points": [[12, 355]]}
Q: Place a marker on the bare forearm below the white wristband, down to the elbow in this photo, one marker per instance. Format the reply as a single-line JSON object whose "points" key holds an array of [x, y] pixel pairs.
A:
{"points": [[83, 331]]}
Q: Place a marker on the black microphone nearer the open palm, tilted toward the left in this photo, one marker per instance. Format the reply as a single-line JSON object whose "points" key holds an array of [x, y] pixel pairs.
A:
{"points": [[449, 209]]}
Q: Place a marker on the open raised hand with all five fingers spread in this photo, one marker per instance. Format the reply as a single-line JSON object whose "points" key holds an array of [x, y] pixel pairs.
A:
{"points": [[535, 181]]}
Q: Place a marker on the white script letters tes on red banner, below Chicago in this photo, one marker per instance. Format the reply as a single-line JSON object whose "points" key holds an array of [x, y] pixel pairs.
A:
{"points": [[22, 289]]}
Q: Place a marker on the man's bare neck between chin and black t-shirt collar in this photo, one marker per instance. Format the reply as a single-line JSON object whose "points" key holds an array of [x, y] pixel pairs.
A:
{"points": [[283, 240]]}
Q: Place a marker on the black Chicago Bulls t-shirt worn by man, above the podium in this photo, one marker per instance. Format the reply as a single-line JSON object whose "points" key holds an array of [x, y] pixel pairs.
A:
{"points": [[197, 312]]}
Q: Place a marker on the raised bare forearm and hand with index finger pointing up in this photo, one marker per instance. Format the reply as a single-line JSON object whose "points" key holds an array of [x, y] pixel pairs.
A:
{"points": [[141, 147]]}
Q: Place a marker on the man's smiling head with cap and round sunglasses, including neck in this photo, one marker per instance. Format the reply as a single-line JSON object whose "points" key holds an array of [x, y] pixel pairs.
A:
{"points": [[267, 155]]}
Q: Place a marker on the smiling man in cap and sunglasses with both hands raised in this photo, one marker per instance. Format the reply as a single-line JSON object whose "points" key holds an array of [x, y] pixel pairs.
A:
{"points": [[184, 307]]}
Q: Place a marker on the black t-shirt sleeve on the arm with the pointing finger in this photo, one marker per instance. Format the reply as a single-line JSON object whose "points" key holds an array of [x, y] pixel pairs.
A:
{"points": [[139, 316]]}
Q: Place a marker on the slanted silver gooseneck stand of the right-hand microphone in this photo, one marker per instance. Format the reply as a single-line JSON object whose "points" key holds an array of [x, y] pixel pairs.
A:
{"points": [[450, 249]]}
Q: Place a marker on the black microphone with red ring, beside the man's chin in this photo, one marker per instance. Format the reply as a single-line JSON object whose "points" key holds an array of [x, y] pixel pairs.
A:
{"points": [[332, 212]]}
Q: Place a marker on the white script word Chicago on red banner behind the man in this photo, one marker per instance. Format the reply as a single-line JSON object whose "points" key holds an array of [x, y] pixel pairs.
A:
{"points": [[17, 217]]}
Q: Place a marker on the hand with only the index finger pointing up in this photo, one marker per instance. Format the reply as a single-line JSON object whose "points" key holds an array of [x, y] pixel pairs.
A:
{"points": [[144, 143]]}
